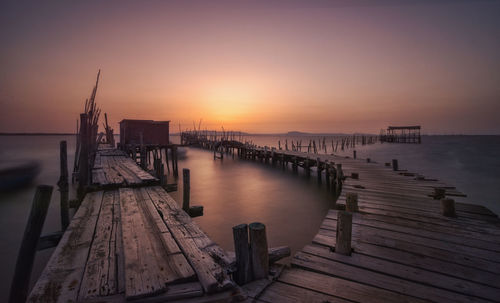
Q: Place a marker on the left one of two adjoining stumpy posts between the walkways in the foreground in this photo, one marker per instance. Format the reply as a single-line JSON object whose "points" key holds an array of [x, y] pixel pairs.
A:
{"points": [[243, 272]]}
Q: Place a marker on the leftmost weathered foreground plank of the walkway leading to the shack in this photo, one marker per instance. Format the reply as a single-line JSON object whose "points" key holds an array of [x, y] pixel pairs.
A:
{"points": [[60, 280]]}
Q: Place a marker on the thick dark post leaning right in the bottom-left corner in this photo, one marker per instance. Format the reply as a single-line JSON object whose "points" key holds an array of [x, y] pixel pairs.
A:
{"points": [[26, 256]]}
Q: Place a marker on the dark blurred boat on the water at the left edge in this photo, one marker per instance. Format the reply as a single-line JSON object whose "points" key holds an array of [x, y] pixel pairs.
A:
{"points": [[16, 174]]}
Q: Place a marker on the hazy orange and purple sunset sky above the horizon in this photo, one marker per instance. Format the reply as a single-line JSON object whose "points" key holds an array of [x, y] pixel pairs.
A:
{"points": [[255, 66]]}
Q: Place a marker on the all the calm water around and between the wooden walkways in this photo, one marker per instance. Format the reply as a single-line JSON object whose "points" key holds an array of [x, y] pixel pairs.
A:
{"points": [[234, 191]]}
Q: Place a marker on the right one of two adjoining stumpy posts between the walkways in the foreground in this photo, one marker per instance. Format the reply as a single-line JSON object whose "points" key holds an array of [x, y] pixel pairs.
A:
{"points": [[258, 245]]}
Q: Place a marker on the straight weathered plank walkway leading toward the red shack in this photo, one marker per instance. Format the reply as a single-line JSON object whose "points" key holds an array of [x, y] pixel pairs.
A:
{"points": [[131, 241]]}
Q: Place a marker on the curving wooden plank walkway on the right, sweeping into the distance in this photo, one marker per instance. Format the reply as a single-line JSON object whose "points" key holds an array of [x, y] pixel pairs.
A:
{"points": [[404, 250]]}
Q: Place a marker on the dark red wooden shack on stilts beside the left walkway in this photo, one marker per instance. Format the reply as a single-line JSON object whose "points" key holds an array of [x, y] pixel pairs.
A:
{"points": [[147, 132]]}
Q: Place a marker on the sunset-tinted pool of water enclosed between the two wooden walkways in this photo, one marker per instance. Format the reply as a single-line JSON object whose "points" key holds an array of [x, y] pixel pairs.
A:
{"points": [[235, 191]]}
